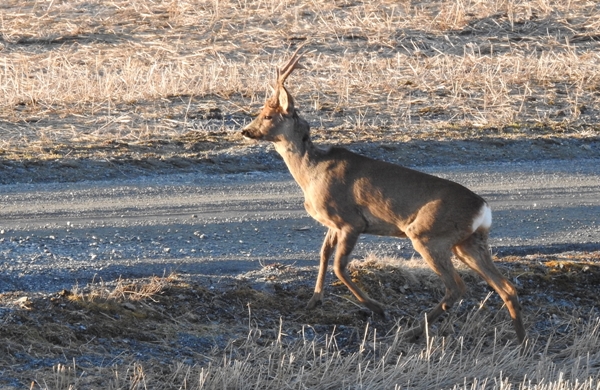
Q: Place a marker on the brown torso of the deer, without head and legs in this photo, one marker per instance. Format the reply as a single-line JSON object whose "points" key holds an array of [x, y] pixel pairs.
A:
{"points": [[344, 188]]}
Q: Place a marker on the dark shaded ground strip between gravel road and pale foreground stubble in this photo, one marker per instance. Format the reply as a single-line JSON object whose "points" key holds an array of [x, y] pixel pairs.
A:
{"points": [[163, 321]]}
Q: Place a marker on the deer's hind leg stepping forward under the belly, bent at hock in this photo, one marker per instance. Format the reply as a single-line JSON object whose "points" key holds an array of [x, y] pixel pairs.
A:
{"points": [[438, 255]]}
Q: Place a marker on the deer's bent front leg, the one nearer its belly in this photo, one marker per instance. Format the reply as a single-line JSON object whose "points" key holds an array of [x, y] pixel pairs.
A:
{"points": [[346, 242]]}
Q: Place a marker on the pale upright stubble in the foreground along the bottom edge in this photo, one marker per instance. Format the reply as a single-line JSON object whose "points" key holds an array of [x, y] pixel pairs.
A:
{"points": [[386, 365]]}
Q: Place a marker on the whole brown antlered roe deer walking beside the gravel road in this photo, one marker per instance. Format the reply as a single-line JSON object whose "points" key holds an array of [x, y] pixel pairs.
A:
{"points": [[352, 194]]}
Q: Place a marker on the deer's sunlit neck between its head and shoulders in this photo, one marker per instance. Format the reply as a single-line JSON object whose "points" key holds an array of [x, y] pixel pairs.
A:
{"points": [[299, 154]]}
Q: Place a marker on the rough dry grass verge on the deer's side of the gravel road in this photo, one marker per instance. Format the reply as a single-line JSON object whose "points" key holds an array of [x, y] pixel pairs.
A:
{"points": [[175, 333]]}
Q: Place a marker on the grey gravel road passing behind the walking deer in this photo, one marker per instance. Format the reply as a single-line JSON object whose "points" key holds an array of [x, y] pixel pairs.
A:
{"points": [[53, 236]]}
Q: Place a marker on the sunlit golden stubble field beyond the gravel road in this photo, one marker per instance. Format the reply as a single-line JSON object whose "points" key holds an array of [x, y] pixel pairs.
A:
{"points": [[90, 72]]}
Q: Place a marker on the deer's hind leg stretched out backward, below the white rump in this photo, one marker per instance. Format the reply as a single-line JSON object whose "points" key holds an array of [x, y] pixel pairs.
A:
{"points": [[475, 253]]}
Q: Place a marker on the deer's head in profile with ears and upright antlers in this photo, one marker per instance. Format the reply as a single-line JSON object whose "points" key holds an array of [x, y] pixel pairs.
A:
{"points": [[278, 118]]}
